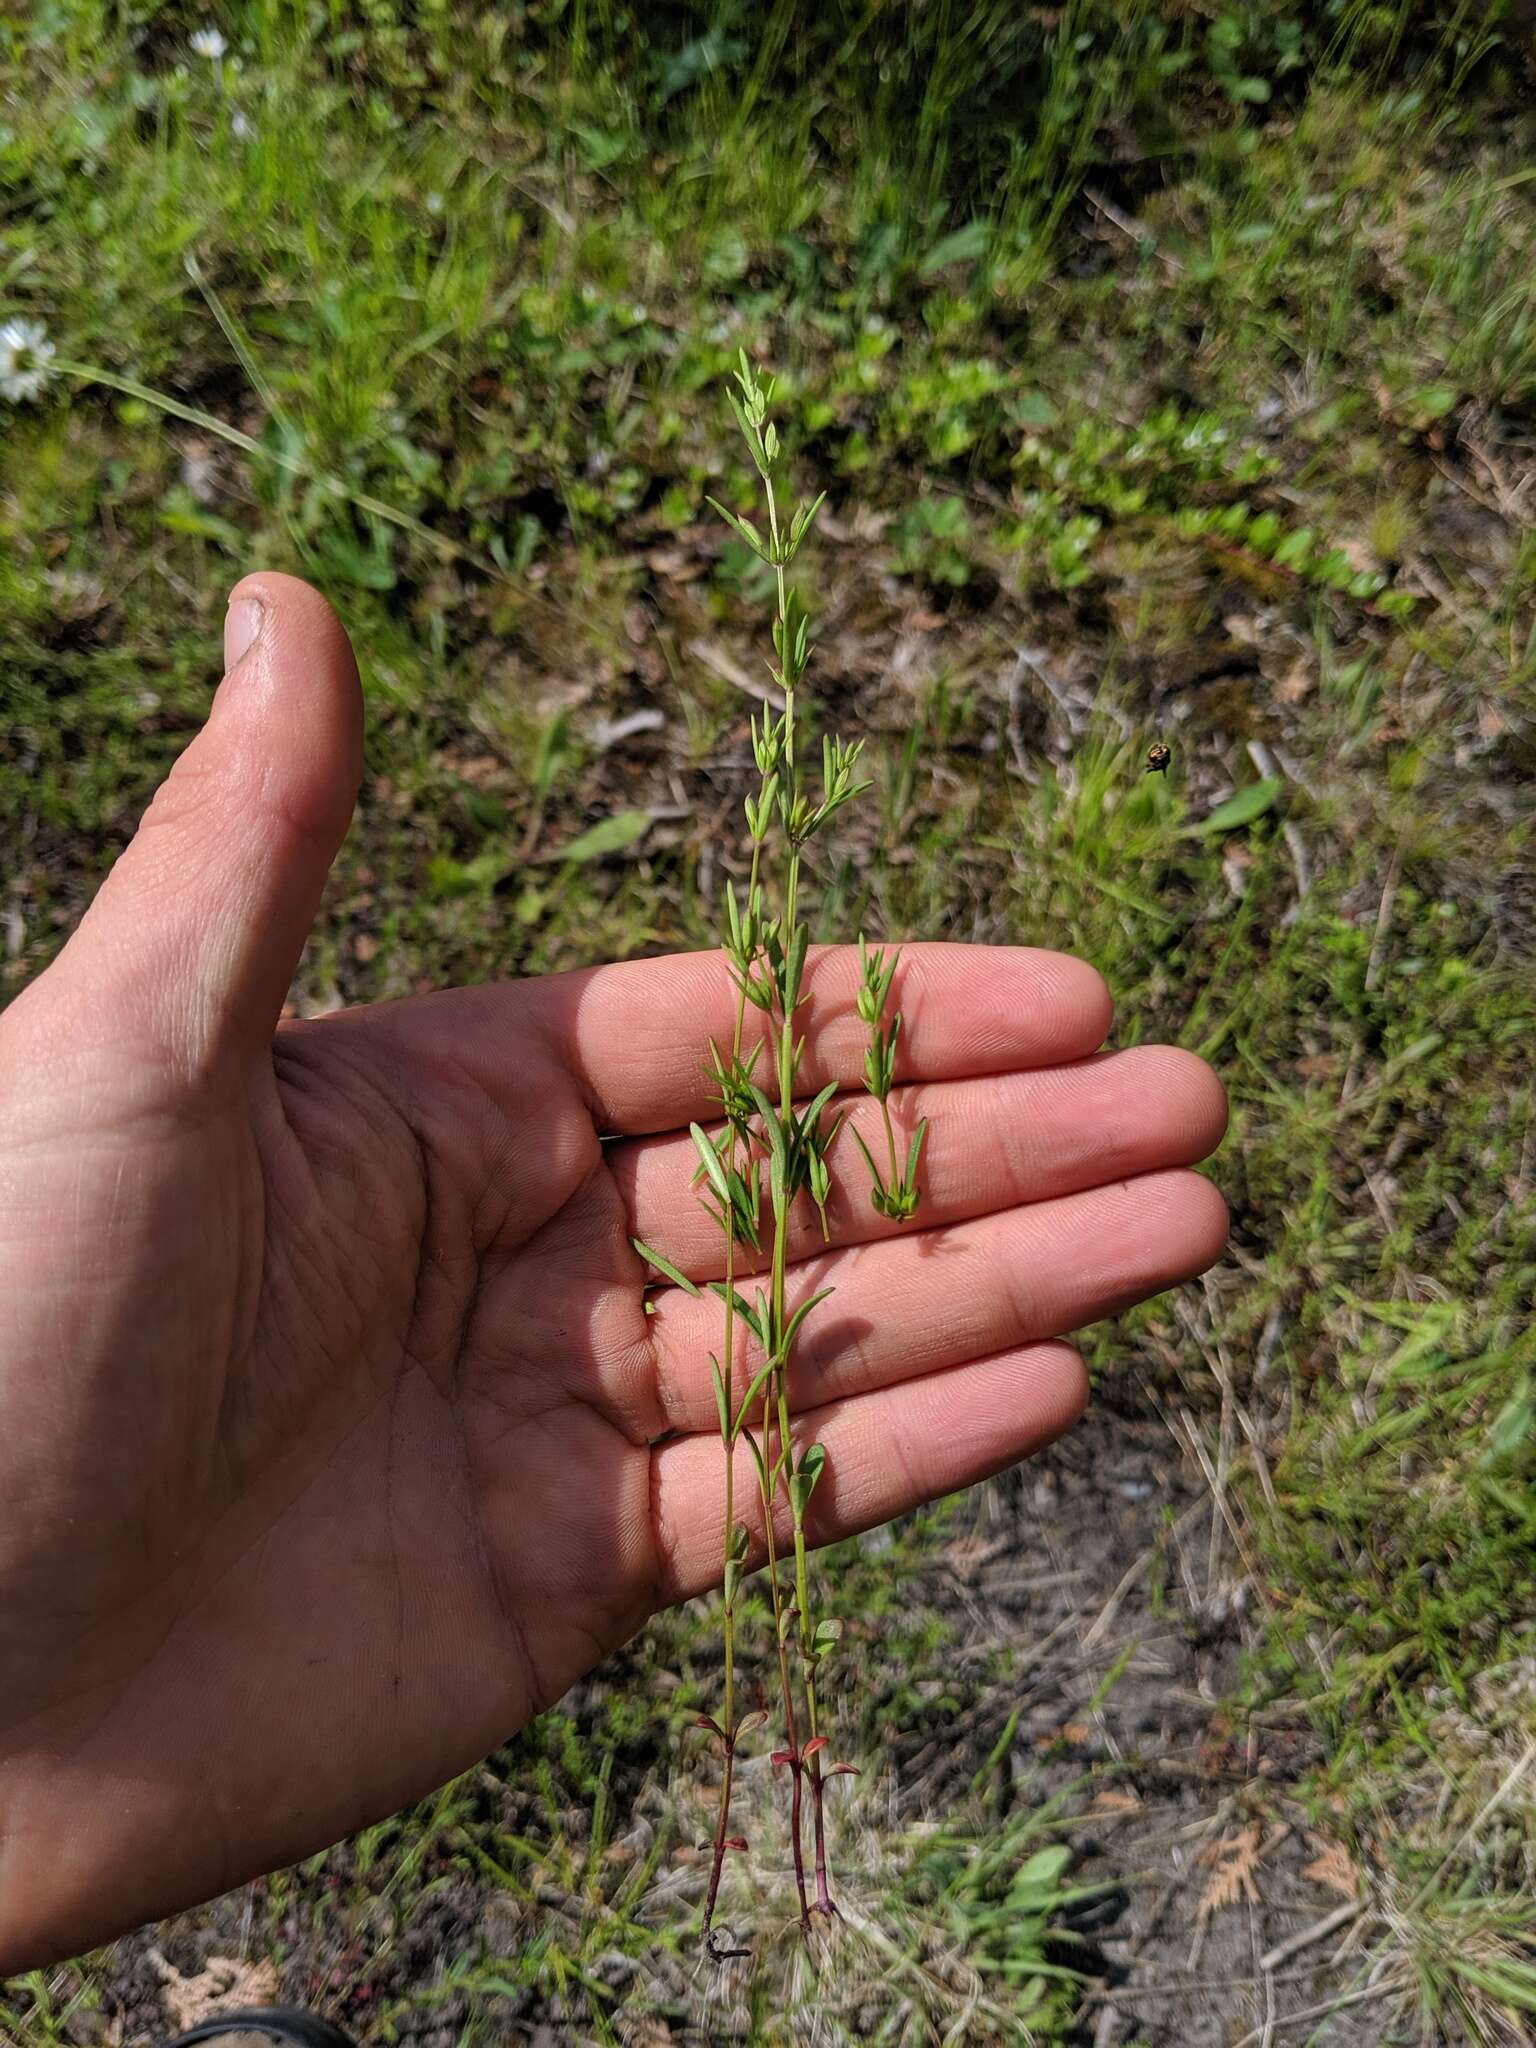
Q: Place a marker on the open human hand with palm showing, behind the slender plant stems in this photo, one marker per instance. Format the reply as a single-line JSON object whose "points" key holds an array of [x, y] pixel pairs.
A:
{"points": [[335, 1439]]}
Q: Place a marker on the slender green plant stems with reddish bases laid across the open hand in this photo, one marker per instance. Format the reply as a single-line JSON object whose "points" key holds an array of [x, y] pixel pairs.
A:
{"points": [[771, 1132]]}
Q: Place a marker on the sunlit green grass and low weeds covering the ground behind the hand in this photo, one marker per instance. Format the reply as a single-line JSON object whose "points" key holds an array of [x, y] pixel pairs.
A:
{"points": [[1172, 376]]}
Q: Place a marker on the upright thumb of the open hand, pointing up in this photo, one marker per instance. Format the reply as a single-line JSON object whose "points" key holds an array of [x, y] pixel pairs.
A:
{"points": [[194, 939]]}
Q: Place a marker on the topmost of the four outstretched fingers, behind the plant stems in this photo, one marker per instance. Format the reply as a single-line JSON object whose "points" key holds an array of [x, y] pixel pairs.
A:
{"points": [[636, 1037]]}
